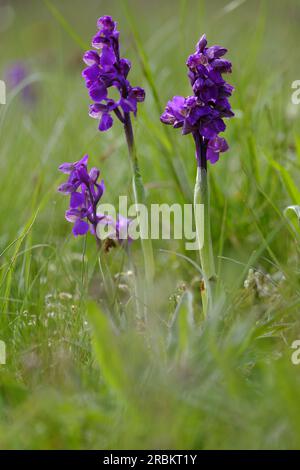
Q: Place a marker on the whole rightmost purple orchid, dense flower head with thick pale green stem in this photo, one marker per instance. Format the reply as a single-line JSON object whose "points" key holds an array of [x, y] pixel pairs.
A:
{"points": [[202, 114]]}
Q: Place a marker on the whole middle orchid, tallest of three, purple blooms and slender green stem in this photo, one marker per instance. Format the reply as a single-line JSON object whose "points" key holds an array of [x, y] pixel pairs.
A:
{"points": [[107, 70]]}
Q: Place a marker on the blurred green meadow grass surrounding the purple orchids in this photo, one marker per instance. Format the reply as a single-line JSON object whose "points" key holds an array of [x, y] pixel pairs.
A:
{"points": [[82, 371]]}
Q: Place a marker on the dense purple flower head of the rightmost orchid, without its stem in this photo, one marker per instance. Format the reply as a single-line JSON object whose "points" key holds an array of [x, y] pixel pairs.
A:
{"points": [[202, 114]]}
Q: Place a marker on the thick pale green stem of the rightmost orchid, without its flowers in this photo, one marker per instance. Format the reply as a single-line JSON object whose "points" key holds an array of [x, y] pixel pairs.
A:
{"points": [[203, 230]]}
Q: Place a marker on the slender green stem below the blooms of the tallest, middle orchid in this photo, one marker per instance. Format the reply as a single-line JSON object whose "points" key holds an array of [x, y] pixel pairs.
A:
{"points": [[139, 198]]}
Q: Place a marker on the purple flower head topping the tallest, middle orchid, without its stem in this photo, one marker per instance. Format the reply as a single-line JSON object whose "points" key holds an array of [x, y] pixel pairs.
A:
{"points": [[107, 69]]}
